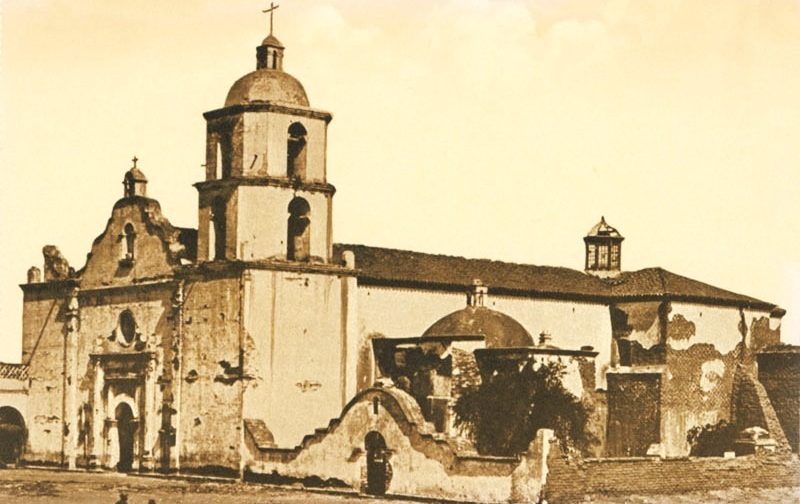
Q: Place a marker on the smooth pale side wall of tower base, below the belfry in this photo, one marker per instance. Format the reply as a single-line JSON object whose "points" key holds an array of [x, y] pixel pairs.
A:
{"points": [[300, 351]]}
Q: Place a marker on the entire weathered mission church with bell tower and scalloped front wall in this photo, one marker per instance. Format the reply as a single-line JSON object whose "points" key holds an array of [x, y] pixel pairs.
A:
{"points": [[256, 344]]}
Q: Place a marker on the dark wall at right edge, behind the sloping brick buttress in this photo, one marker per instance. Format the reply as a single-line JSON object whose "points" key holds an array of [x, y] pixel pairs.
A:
{"points": [[779, 372]]}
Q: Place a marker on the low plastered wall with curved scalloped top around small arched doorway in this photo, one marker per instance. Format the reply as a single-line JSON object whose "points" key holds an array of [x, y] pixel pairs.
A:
{"points": [[423, 465]]}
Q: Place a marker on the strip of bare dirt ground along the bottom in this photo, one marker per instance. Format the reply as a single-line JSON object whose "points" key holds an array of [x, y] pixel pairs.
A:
{"points": [[45, 487]]}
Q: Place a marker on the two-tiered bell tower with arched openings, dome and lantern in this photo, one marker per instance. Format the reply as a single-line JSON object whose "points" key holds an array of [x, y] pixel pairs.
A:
{"points": [[265, 195]]}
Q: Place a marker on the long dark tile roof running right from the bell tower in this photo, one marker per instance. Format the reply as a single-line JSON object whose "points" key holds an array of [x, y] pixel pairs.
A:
{"points": [[384, 266]]}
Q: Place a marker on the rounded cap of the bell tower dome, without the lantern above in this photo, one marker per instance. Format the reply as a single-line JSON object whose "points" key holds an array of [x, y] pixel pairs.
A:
{"points": [[267, 86]]}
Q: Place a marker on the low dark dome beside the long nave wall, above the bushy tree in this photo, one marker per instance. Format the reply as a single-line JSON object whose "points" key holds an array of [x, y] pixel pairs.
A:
{"points": [[499, 330]]}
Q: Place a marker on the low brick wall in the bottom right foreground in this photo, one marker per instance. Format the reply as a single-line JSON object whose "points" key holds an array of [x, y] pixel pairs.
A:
{"points": [[571, 480]]}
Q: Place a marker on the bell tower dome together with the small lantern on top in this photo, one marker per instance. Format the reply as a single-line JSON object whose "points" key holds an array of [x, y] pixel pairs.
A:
{"points": [[268, 83]]}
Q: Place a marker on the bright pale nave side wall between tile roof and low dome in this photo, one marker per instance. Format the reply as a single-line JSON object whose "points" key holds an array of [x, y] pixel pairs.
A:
{"points": [[401, 312]]}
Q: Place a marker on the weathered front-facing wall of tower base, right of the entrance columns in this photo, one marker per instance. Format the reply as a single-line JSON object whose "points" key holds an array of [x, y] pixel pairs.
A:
{"points": [[209, 431]]}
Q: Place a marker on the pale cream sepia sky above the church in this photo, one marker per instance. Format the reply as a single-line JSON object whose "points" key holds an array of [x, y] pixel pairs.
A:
{"points": [[501, 129]]}
